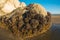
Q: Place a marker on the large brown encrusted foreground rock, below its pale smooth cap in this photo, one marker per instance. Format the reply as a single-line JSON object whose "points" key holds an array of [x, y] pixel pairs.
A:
{"points": [[24, 24]]}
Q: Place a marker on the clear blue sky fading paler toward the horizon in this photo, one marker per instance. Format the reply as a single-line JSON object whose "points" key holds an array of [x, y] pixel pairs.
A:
{"points": [[52, 6]]}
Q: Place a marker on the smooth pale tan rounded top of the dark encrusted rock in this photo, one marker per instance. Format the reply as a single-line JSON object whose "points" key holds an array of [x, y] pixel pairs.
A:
{"points": [[37, 8]]}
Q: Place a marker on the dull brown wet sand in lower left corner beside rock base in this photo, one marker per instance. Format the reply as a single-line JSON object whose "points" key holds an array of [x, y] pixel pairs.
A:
{"points": [[5, 35]]}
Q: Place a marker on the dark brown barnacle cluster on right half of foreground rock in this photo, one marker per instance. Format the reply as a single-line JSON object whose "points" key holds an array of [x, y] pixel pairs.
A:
{"points": [[33, 22]]}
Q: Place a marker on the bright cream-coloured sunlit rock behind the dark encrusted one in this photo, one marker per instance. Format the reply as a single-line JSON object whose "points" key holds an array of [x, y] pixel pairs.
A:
{"points": [[7, 6]]}
